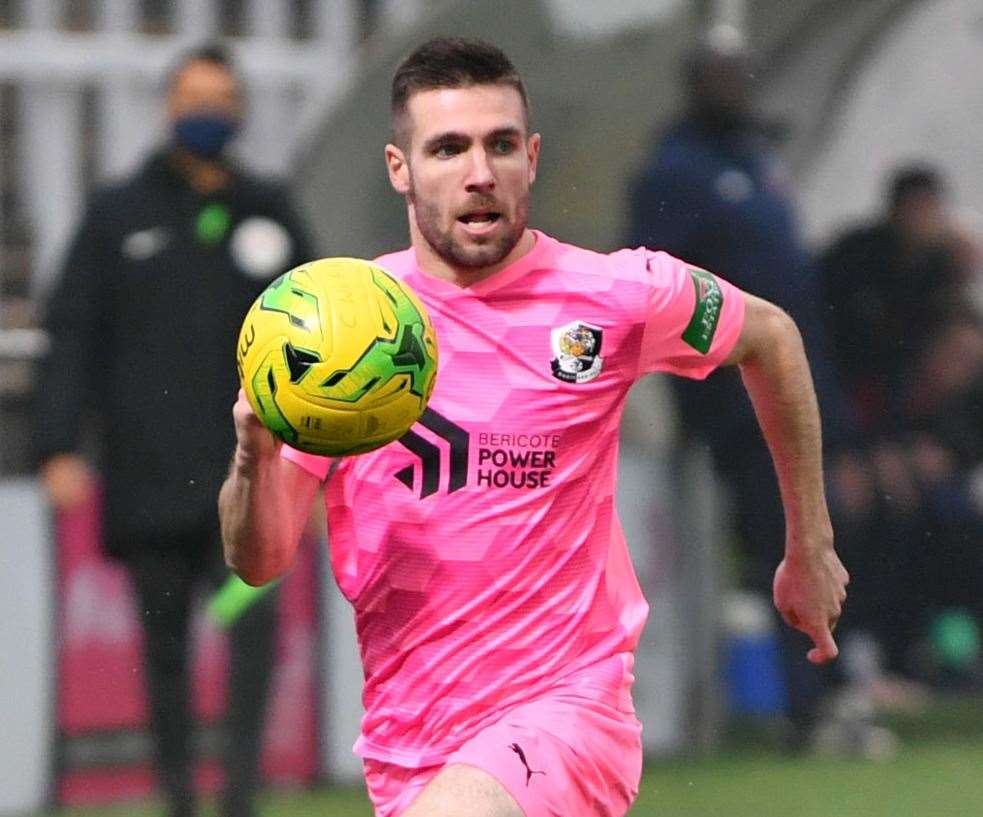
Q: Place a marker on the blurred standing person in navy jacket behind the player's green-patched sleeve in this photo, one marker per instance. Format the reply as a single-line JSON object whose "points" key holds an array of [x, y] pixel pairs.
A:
{"points": [[714, 193]]}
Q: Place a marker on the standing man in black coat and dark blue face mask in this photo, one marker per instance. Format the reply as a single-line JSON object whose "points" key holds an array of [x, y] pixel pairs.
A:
{"points": [[143, 324]]}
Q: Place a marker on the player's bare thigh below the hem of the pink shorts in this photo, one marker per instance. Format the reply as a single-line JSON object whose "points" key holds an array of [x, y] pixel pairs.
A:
{"points": [[458, 790]]}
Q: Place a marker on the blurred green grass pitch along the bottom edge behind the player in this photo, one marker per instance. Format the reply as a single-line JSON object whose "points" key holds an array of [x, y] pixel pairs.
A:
{"points": [[938, 777]]}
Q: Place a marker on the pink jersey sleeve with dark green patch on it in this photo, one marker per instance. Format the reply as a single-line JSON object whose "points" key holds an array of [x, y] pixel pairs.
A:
{"points": [[693, 318]]}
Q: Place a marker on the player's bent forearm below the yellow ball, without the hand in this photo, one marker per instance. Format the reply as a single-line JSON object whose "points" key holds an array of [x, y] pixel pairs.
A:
{"points": [[255, 510]]}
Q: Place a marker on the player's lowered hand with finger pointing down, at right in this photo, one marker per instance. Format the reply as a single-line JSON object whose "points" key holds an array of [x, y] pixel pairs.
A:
{"points": [[810, 588]]}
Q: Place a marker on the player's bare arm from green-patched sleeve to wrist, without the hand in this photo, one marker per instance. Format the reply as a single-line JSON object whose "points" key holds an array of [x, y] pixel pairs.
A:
{"points": [[776, 375]]}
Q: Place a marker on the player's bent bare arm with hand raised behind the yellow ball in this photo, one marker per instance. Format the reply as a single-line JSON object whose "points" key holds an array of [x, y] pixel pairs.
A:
{"points": [[264, 502]]}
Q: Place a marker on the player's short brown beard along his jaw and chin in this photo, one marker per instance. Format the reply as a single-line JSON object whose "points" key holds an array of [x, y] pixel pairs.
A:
{"points": [[479, 252]]}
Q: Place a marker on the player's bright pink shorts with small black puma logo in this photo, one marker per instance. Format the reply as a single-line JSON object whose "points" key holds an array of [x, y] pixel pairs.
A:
{"points": [[562, 755]]}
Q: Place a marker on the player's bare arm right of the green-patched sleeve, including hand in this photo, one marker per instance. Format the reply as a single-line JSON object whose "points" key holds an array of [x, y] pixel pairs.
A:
{"points": [[810, 583]]}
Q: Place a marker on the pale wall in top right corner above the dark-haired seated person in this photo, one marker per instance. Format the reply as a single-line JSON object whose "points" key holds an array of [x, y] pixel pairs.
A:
{"points": [[918, 97]]}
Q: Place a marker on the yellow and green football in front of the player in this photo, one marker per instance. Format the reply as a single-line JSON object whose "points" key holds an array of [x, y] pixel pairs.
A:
{"points": [[337, 357]]}
